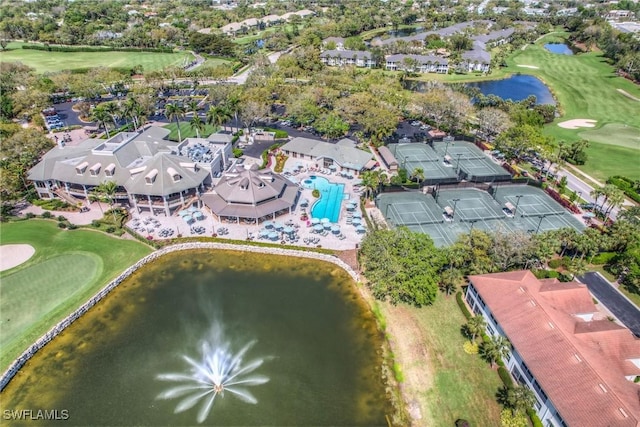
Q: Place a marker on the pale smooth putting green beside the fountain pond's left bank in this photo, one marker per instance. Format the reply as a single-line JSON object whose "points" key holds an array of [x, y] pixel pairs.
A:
{"points": [[31, 293]]}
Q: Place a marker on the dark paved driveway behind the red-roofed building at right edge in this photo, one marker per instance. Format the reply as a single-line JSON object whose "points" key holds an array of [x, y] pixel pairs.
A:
{"points": [[617, 304]]}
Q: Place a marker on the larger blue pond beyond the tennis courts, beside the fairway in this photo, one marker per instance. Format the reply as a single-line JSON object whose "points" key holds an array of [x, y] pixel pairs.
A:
{"points": [[517, 88]]}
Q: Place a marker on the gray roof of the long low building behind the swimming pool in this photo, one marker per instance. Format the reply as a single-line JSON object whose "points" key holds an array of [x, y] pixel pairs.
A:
{"points": [[345, 156]]}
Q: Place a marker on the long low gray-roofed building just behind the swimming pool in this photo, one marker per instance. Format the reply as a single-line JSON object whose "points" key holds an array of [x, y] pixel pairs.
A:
{"points": [[343, 155]]}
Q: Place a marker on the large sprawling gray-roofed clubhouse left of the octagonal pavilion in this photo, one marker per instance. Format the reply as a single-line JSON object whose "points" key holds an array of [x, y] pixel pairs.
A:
{"points": [[152, 173]]}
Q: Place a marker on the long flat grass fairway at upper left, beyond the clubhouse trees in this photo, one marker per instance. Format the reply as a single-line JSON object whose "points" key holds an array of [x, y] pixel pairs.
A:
{"points": [[44, 61]]}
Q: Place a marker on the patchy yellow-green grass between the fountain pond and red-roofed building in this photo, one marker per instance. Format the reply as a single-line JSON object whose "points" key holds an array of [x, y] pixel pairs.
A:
{"points": [[461, 385]]}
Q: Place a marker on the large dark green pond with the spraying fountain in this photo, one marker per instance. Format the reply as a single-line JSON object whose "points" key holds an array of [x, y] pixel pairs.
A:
{"points": [[300, 344]]}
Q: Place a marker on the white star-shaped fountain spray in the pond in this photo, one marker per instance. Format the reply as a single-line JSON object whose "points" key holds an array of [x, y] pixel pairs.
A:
{"points": [[218, 371]]}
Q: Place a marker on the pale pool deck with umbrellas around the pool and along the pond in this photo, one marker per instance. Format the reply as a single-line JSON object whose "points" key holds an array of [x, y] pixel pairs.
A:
{"points": [[243, 231]]}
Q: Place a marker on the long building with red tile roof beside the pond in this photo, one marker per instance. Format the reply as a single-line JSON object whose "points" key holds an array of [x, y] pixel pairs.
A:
{"points": [[580, 365]]}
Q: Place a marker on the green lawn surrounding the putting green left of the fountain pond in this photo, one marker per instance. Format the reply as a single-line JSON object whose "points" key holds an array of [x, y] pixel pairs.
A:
{"points": [[67, 268]]}
